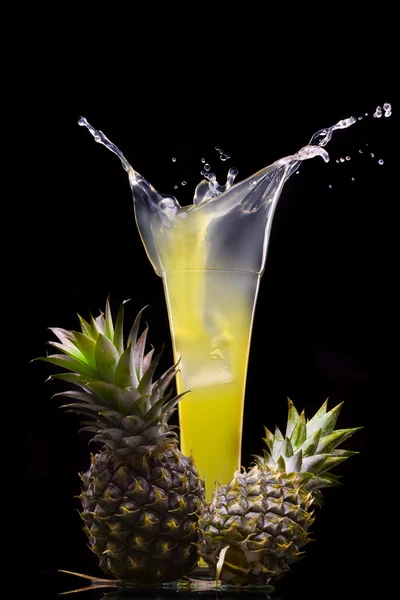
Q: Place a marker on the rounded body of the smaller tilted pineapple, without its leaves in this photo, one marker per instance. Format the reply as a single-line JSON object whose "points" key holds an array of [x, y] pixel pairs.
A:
{"points": [[263, 515]]}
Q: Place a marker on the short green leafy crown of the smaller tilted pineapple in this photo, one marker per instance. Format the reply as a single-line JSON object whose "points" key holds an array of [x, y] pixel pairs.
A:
{"points": [[309, 447]]}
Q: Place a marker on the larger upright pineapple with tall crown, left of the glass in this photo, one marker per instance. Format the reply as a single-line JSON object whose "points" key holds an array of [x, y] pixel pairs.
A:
{"points": [[141, 495]]}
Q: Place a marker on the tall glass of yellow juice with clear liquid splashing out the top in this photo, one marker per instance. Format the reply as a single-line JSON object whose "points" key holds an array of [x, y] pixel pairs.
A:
{"points": [[211, 256]]}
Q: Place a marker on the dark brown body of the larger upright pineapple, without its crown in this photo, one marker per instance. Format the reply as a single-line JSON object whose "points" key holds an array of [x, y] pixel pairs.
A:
{"points": [[141, 516]]}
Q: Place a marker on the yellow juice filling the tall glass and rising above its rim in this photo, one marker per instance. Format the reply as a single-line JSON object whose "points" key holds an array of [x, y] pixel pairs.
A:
{"points": [[210, 314]]}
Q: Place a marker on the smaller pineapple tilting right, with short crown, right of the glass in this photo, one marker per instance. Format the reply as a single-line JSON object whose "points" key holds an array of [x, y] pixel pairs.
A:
{"points": [[255, 526]]}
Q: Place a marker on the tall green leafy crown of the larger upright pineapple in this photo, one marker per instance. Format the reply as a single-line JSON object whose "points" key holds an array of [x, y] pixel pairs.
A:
{"points": [[125, 409]]}
